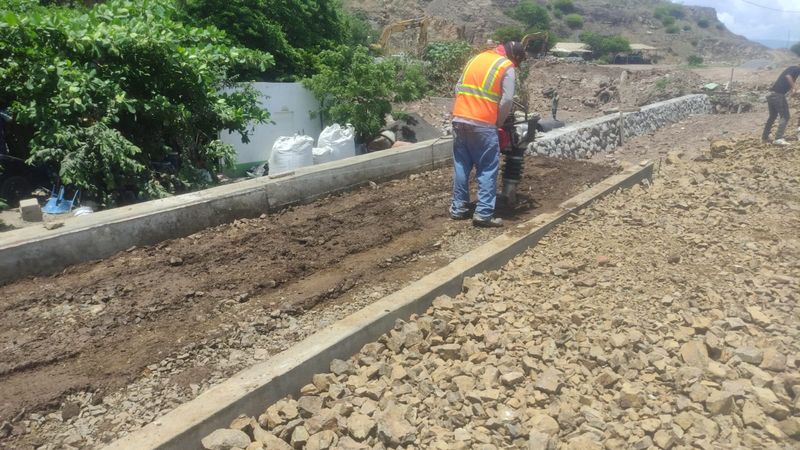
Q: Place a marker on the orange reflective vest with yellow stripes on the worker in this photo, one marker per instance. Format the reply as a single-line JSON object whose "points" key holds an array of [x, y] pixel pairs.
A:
{"points": [[479, 93]]}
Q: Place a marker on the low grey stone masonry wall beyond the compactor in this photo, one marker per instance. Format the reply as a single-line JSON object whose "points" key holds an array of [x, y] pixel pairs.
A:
{"points": [[585, 139]]}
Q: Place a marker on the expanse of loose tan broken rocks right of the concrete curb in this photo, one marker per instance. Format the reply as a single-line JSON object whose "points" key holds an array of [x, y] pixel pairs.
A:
{"points": [[662, 317]]}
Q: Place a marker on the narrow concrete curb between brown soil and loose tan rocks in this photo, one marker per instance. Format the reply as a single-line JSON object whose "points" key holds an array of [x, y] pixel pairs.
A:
{"points": [[253, 389]]}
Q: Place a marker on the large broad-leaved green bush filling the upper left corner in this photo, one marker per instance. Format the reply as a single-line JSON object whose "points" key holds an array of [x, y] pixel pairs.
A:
{"points": [[107, 91]]}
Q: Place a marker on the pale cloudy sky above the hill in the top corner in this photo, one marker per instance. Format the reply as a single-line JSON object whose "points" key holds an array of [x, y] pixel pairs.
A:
{"points": [[753, 22]]}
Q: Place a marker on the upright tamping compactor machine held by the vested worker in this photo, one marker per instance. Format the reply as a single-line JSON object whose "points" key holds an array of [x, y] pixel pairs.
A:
{"points": [[518, 131]]}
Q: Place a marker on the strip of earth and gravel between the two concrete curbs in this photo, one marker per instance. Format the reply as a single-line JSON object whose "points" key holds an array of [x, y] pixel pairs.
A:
{"points": [[88, 343]]}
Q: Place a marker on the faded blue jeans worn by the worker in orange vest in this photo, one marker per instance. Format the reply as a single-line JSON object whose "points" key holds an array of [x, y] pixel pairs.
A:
{"points": [[475, 147]]}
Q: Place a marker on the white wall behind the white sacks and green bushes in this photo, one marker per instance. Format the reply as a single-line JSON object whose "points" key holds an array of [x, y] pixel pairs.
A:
{"points": [[290, 106]]}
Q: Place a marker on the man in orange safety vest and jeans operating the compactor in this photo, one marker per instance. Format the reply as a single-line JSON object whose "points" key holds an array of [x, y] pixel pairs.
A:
{"points": [[484, 98]]}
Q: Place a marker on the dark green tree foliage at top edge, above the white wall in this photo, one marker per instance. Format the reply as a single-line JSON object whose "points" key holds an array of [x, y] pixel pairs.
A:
{"points": [[279, 27]]}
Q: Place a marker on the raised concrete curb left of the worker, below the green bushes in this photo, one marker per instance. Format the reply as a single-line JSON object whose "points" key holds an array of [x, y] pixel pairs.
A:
{"points": [[36, 251]]}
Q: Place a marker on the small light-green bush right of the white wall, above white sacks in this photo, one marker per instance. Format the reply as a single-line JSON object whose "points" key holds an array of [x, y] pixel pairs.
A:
{"points": [[354, 88]]}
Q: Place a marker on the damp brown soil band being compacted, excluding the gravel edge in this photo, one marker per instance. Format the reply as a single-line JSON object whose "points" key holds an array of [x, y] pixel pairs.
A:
{"points": [[96, 326]]}
